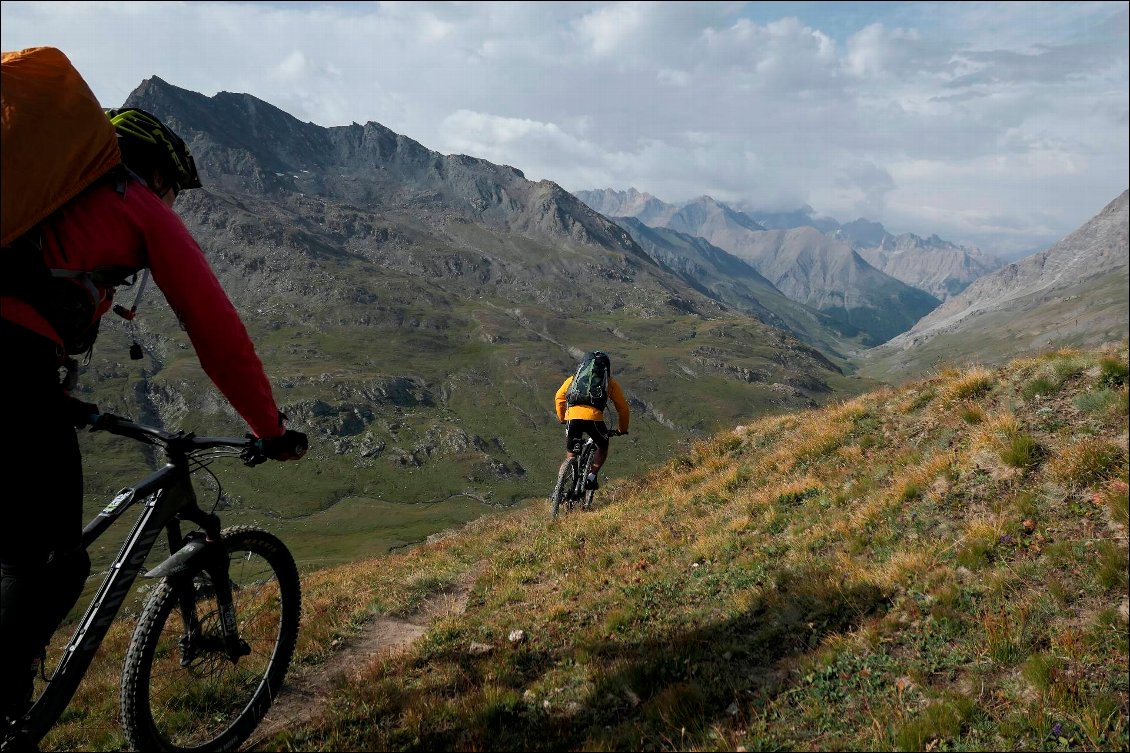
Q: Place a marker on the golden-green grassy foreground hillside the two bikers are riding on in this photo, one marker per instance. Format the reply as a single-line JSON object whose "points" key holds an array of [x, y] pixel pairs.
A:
{"points": [[936, 567]]}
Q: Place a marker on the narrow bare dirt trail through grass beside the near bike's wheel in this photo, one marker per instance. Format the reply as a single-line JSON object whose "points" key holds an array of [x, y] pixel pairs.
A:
{"points": [[305, 696]]}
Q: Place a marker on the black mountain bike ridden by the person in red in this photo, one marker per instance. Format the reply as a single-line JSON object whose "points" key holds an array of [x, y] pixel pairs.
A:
{"points": [[215, 638]]}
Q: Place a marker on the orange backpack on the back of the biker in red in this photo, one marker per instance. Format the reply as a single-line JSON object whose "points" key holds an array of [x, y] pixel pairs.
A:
{"points": [[57, 139]]}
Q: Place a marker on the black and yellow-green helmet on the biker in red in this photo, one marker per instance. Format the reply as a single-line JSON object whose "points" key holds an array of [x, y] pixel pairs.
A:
{"points": [[149, 145]]}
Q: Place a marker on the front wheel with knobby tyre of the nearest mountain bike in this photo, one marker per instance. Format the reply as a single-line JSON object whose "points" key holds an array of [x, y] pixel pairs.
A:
{"points": [[181, 691]]}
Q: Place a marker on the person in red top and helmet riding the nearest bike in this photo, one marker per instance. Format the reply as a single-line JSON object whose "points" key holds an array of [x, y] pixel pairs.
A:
{"points": [[121, 223]]}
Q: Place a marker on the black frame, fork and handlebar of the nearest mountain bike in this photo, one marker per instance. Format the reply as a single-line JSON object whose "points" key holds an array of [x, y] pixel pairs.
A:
{"points": [[169, 498]]}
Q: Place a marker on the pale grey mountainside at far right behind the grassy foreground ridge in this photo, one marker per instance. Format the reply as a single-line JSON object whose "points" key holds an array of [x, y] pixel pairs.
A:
{"points": [[1073, 295]]}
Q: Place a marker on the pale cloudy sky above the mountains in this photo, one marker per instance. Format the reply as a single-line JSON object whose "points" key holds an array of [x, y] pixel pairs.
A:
{"points": [[1002, 125]]}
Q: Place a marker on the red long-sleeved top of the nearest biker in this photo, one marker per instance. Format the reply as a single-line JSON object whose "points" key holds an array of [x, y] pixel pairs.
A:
{"points": [[136, 230]]}
